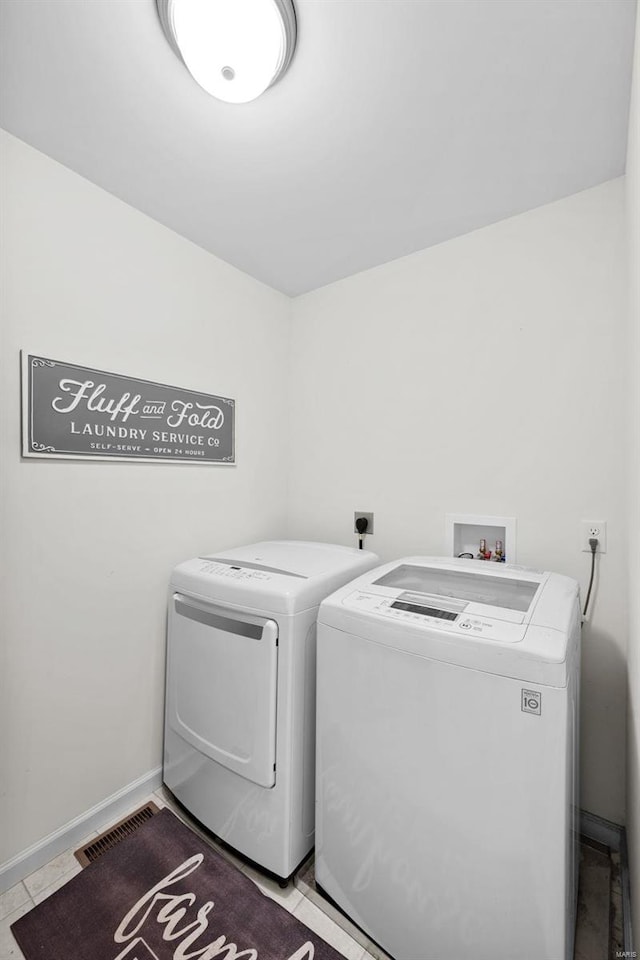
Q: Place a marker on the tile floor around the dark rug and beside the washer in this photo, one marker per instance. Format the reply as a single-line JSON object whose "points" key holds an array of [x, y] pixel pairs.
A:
{"points": [[598, 914]]}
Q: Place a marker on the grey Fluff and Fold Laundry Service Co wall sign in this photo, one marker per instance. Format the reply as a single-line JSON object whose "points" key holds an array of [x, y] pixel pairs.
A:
{"points": [[69, 411]]}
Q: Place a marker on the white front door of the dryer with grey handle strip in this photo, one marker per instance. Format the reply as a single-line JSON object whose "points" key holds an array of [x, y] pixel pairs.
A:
{"points": [[221, 687]]}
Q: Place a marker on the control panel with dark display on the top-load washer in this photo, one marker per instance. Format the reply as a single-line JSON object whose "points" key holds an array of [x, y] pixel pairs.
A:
{"points": [[413, 614]]}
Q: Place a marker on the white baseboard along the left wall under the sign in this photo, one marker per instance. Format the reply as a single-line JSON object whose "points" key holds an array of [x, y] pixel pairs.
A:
{"points": [[97, 818]]}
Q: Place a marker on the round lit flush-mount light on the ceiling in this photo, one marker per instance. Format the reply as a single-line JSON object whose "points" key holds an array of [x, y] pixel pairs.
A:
{"points": [[235, 49]]}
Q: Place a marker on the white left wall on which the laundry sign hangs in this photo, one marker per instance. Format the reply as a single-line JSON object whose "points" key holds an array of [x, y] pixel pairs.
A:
{"points": [[88, 547]]}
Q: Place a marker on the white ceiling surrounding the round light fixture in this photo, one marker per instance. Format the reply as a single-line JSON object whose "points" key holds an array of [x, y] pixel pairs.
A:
{"points": [[400, 123]]}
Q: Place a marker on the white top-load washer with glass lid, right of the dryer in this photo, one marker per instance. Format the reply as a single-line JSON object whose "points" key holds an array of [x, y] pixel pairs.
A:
{"points": [[447, 759]]}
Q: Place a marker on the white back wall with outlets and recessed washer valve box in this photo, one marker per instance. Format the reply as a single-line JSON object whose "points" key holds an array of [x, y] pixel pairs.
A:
{"points": [[484, 375]]}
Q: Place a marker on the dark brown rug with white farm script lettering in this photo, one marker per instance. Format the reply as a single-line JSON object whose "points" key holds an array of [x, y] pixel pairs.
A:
{"points": [[164, 894]]}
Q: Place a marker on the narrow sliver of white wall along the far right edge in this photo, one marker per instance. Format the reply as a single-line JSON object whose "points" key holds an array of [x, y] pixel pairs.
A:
{"points": [[633, 725]]}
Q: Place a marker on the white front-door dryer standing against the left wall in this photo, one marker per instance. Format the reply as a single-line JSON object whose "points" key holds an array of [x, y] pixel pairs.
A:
{"points": [[240, 704]]}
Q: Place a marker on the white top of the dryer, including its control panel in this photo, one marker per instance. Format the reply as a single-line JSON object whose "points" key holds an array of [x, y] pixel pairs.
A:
{"points": [[279, 576]]}
